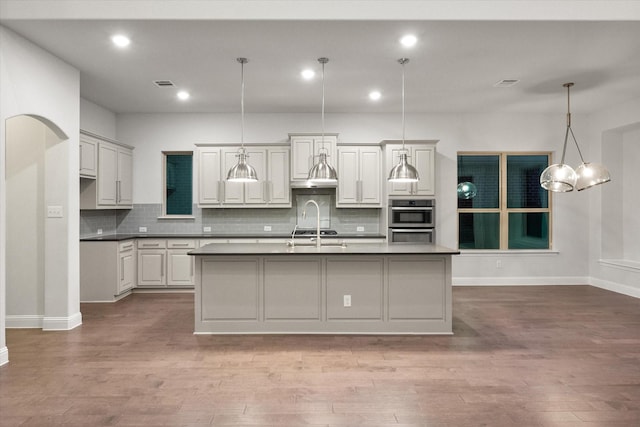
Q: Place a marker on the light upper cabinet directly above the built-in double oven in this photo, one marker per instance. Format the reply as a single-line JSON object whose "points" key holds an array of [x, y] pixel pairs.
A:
{"points": [[422, 156]]}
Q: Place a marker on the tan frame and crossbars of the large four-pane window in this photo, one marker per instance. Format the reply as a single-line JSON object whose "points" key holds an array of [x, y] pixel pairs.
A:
{"points": [[502, 208]]}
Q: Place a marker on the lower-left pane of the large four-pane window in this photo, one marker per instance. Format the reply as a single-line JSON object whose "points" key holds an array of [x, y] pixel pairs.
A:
{"points": [[479, 231]]}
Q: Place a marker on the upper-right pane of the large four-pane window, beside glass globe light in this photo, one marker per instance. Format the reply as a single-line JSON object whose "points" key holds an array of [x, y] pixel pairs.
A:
{"points": [[523, 181]]}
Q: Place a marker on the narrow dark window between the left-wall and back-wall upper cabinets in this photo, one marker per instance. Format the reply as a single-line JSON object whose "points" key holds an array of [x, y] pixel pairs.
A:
{"points": [[178, 183]]}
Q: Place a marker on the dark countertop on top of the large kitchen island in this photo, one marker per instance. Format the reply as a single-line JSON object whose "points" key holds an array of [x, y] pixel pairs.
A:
{"points": [[330, 249]]}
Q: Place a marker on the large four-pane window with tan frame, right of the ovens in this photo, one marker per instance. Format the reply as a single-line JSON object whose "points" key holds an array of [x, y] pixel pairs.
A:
{"points": [[509, 209]]}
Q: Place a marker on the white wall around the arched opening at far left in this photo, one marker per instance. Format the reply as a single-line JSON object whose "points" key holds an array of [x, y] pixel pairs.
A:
{"points": [[34, 82]]}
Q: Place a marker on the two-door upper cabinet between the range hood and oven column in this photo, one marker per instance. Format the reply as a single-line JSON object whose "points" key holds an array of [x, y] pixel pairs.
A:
{"points": [[359, 176]]}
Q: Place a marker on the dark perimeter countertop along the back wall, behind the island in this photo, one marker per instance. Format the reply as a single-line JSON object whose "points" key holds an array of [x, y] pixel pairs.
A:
{"points": [[120, 237]]}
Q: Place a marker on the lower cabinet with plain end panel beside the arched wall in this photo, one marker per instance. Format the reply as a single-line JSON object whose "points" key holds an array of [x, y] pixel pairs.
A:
{"points": [[107, 270]]}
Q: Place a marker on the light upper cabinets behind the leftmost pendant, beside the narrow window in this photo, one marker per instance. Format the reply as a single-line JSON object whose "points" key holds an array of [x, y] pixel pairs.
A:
{"points": [[271, 191]]}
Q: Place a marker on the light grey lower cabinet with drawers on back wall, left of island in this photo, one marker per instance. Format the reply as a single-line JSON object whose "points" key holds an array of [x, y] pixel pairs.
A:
{"points": [[165, 263]]}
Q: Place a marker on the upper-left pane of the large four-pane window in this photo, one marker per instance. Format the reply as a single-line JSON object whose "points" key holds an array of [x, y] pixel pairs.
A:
{"points": [[484, 172]]}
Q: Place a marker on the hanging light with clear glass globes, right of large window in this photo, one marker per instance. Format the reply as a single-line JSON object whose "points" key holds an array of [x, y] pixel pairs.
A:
{"points": [[561, 177]]}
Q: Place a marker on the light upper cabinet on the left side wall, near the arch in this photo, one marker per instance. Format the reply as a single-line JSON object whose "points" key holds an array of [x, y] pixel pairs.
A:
{"points": [[113, 186]]}
